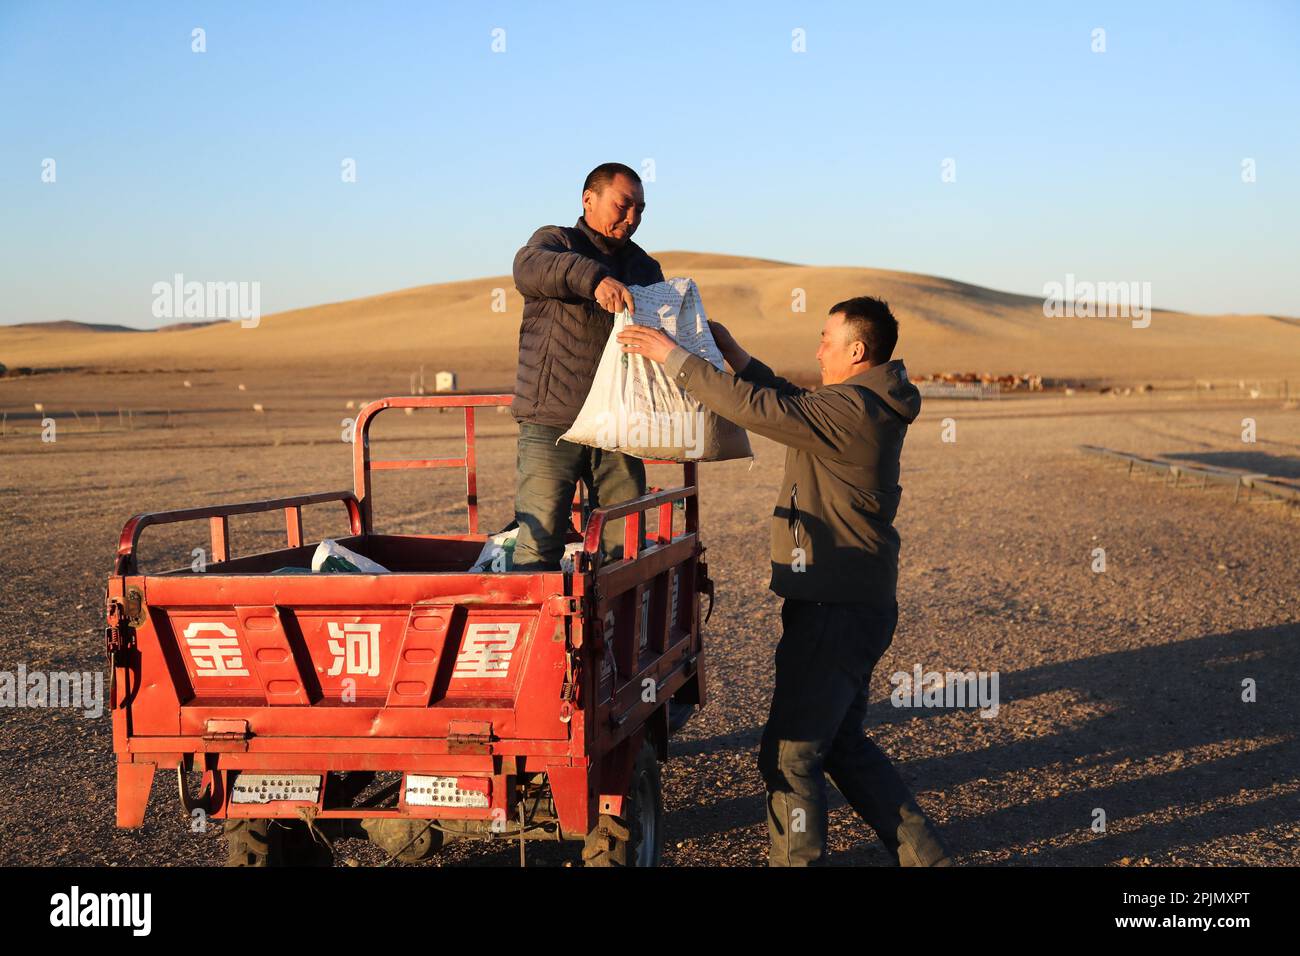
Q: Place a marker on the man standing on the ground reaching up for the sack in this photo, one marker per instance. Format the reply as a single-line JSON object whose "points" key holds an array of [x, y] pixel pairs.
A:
{"points": [[835, 561]]}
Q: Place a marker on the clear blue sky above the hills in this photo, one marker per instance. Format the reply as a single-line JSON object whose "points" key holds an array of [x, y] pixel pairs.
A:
{"points": [[227, 166]]}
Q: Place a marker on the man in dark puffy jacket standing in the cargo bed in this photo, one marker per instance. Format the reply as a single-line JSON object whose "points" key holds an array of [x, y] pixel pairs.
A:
{"points": [[574, 279]]}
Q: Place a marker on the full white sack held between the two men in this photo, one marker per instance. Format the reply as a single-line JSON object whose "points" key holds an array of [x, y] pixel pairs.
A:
{"points": [[635, 408]]}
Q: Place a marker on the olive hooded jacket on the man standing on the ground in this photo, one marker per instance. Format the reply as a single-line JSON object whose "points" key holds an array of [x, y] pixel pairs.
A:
{"points": [[833, 529]]}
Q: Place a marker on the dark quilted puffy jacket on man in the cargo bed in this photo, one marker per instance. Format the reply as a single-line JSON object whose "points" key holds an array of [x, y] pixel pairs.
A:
{"points": [[565, 331]]}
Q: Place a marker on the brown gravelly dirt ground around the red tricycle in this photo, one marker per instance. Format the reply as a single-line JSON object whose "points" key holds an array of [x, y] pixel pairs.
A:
{"points": [[1120, 690]]}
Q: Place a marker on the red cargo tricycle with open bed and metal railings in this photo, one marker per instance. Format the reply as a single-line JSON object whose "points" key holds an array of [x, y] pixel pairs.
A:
{"points": [[421, 706]]}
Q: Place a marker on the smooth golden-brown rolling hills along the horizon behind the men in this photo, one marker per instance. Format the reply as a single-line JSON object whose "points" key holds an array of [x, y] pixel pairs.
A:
{"points": [[946, 326]]}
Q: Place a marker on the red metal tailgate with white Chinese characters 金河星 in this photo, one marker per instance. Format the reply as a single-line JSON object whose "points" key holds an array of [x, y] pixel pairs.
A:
{"points": [[343, 656]]}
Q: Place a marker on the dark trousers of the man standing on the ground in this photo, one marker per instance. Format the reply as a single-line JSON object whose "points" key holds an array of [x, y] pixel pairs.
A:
{"points": [[816, 730]]}
